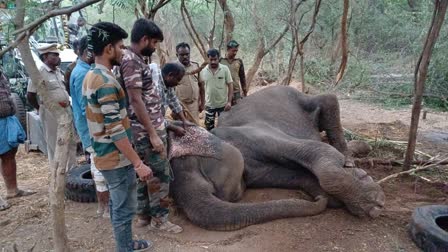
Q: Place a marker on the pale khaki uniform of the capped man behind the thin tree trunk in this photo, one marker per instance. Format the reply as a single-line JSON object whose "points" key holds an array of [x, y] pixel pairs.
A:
{"points": [[56, 90]]}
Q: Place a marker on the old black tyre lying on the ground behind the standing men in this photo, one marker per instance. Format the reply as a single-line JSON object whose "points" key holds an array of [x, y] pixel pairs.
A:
{"points": [[79, 185]]}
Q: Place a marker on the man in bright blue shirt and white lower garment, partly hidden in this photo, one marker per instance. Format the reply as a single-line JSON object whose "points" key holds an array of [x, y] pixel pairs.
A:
{"points": [[79, 114]]}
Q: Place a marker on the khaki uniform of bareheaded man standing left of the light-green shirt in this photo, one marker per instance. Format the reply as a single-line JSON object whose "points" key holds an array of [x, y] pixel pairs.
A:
{"points": [[188, 90]]}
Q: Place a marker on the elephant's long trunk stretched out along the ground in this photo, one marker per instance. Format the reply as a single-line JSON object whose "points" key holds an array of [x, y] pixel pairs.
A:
{"points": [[206, 210]]}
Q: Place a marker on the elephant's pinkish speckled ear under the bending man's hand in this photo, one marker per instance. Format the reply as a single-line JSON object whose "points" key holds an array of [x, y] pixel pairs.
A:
{"points": [[196, 142]]}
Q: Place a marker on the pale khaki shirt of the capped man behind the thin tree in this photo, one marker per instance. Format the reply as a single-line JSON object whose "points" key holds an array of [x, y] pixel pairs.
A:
{"points": [[55, 84]]}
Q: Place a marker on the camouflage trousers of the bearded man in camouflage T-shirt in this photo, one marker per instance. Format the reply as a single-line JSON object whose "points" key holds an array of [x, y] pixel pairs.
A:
{"points": [[152, 195]]}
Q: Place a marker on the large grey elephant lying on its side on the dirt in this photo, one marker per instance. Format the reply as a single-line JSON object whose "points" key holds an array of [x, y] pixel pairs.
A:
{"points": [[270, 139]]}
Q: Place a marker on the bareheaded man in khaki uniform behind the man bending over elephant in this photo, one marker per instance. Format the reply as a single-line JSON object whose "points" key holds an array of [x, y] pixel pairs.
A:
{"points": [[190, 91]]}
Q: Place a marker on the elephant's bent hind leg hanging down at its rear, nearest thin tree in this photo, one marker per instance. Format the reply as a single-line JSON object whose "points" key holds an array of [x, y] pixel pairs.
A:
{"points": [[329, 120]]}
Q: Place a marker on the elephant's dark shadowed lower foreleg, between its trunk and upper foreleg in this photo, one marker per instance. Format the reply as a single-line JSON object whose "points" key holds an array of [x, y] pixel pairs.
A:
{"points": [[279, 177]]}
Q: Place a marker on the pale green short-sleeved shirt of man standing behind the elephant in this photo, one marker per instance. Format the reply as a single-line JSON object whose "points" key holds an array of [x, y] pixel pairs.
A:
{"points": [[216, 85]]}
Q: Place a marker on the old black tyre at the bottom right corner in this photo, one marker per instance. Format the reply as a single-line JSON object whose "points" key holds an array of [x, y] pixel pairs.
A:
{"points": [[429, 227]]}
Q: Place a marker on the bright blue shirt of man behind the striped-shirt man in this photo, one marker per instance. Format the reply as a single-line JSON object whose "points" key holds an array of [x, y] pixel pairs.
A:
{"points": [[78, 102]]}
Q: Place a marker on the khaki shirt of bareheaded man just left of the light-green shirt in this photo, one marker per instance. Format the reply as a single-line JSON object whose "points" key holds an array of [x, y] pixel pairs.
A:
{"points": [[188, 89]]}
